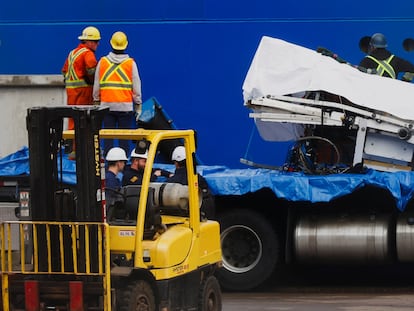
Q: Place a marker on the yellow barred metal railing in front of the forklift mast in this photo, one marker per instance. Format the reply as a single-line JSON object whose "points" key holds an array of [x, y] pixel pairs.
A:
{"points": [[56, 242]]}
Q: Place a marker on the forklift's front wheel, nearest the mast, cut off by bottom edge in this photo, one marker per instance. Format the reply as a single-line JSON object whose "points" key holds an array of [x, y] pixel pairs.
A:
{"points": [[138, 295]]}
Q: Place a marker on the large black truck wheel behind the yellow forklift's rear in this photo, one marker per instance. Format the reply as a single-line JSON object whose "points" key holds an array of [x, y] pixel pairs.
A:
{"points": [[250, 250]]}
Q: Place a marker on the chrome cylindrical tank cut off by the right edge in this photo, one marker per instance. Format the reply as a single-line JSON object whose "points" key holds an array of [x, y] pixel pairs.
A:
{"points": [[405, 237]]}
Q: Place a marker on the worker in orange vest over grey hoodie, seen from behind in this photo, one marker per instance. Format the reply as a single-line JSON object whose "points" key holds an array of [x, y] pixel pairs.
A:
{"points": [[118, 86]]}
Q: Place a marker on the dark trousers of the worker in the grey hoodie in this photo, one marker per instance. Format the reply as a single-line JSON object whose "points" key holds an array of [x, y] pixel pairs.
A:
{"points": [[118, 120]]}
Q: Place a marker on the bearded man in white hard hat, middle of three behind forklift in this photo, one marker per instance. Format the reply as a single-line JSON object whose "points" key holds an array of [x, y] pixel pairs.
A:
{"points": [[133, 174]]}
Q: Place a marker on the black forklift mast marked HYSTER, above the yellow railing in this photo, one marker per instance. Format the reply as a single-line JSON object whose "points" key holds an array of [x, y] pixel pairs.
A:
{"points": [[49, 199]]}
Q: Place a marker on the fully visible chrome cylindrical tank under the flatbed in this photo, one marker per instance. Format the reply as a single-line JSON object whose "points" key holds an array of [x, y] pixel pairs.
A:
{"points": [[343, 239]]}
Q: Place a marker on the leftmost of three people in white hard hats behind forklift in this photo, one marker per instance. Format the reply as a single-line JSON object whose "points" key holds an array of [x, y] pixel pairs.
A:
{"points": [[116, 159]]}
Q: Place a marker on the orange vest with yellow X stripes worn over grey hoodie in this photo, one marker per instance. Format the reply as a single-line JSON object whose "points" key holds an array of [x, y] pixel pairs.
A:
{"points": [[115, 81]]}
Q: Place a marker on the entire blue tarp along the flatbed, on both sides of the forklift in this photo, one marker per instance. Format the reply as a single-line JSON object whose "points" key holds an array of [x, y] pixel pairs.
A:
{"points": [[287, 185]]}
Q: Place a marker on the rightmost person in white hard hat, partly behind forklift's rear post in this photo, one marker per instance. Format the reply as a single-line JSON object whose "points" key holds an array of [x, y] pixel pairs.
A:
{"points": [[180, 176]]}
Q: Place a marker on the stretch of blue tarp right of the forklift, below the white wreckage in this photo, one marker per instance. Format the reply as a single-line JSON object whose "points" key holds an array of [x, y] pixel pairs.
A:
{"points": [[313, 188]]}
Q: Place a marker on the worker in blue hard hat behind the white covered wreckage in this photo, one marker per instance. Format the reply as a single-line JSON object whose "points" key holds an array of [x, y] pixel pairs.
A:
{"points": [[384, 62]]}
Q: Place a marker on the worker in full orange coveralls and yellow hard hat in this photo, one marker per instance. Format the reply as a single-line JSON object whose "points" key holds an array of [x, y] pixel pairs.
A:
{"points": [[79, 69]]}
